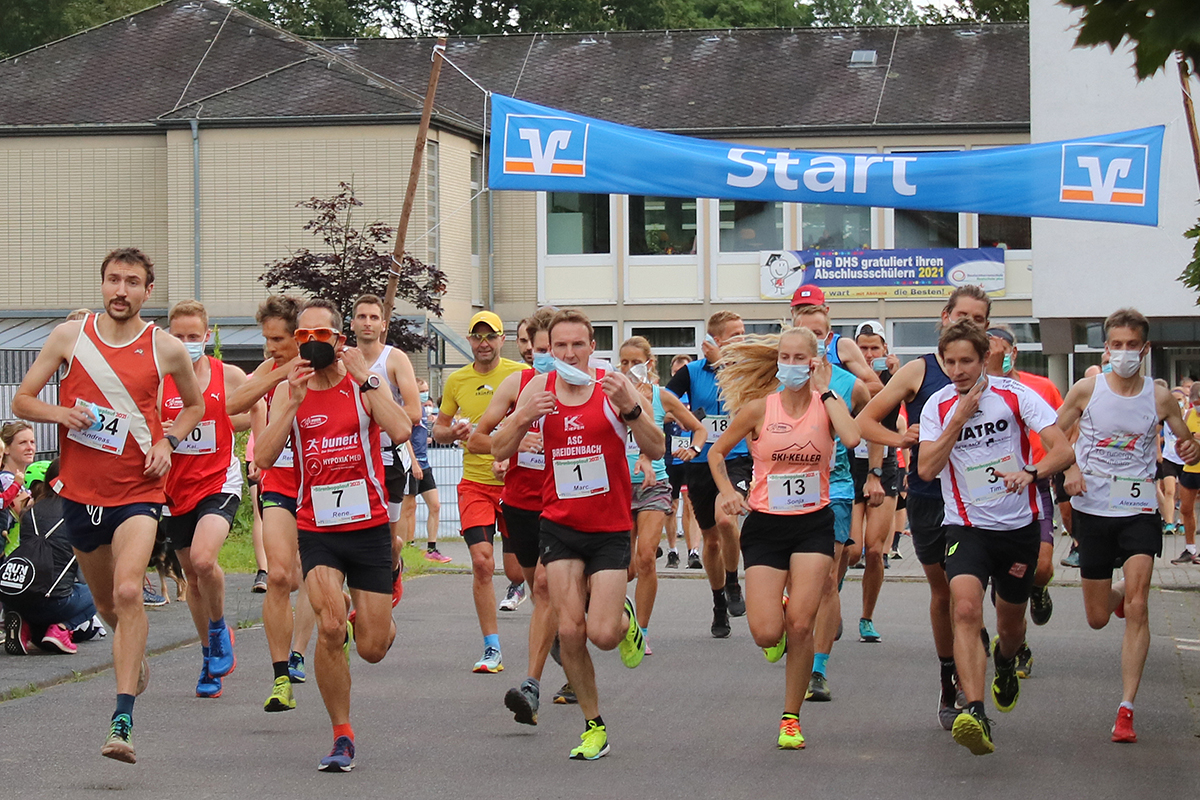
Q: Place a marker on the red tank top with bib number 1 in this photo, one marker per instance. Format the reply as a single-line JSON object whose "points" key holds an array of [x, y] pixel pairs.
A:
{"points": [[587, 486]]}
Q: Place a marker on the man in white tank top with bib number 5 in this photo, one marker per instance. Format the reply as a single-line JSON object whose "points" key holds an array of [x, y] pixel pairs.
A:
{"points": [[1115, 513]]}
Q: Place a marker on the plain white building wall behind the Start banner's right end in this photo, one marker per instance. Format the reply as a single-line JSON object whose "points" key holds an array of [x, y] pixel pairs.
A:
{"points": [[1090, 269]]}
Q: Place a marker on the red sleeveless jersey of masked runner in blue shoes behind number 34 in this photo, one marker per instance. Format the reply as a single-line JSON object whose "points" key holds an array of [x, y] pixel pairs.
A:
{"points": [[205, 464]]}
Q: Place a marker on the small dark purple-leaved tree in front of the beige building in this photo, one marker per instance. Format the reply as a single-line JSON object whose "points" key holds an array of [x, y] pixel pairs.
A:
{"points": [[355, 266]]}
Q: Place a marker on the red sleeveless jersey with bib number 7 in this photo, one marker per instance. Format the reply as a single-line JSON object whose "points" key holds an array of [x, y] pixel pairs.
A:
{"points": [[337, 446]]}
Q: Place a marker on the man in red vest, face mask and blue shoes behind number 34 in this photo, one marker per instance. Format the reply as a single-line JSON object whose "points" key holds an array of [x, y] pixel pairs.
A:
{"points": [[203, 491]]}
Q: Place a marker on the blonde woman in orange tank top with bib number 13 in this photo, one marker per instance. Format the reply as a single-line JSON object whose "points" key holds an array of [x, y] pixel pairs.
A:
{"points": [[788, 539]]}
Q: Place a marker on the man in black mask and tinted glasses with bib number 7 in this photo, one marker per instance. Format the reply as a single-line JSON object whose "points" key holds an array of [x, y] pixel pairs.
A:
{"points": [[334, 416]]}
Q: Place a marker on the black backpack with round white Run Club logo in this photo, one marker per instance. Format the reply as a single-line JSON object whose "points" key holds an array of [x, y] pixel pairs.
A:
{"points": [[37, 568]]}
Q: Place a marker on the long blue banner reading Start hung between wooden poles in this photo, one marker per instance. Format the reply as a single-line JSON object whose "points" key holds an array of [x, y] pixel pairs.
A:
{"points": [[1112, 178]]}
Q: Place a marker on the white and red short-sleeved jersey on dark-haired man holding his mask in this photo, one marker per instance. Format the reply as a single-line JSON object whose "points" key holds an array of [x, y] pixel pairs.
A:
{"points": [[995, 441]]}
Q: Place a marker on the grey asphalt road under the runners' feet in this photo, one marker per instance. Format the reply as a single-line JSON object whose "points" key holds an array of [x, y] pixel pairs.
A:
{"points": [[697, 720]]}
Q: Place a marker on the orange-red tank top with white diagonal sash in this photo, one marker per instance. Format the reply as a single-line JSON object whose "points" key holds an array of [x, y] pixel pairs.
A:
{"points": [[106, 467]]}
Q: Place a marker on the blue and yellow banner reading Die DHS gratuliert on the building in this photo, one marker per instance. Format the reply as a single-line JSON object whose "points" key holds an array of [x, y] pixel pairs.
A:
{"points": [[892, 274]]}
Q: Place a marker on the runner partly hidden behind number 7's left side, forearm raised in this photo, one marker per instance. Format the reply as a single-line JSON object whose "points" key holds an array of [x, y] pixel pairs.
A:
{"points": [[287, 636]]}
